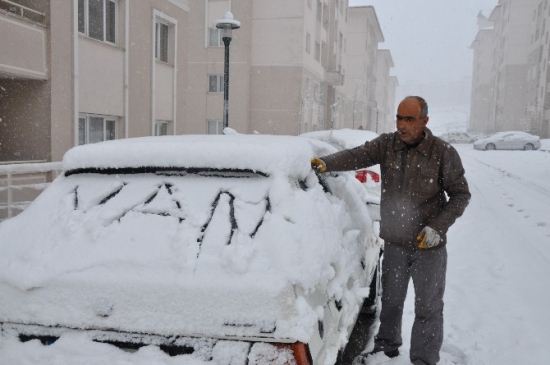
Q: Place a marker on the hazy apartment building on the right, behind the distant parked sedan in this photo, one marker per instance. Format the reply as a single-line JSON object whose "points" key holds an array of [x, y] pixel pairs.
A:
{"points": [[509, 87]]}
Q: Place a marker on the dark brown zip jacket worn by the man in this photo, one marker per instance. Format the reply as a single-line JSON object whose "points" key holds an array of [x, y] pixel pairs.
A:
{"points": [[414, 183]]}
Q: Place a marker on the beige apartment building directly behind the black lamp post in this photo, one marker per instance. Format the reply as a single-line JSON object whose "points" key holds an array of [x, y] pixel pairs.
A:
{"points": [[285, 64]]}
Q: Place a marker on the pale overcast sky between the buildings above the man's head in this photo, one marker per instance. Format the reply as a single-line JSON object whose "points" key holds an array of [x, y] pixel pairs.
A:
{"points": [[429, 39]]}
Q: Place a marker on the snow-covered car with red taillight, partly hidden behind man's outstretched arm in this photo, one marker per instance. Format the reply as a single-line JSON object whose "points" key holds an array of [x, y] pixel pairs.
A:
{"points": [[370, 178]]}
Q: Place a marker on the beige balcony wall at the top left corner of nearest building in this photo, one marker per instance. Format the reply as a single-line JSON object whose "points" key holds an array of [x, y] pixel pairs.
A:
{"points": [[23, 42]]}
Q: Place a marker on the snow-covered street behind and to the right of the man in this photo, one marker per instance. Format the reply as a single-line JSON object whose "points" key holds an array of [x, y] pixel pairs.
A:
{"points": [[498, 287]]}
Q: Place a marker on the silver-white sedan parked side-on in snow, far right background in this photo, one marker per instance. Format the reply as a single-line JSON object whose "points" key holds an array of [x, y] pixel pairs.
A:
{"points": [[508, 141]]}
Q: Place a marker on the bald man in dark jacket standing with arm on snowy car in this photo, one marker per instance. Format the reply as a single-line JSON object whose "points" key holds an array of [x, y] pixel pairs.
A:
{"points": [[418, 169]]}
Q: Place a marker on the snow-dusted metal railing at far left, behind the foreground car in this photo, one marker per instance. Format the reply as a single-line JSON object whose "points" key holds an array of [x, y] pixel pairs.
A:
{"points": [[22, 182]]}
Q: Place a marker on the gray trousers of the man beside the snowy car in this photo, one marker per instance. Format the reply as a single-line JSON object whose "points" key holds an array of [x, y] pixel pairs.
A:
{"points": [[427, 268]]}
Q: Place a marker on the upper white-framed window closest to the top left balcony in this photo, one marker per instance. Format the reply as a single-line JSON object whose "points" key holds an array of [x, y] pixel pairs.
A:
{"points": [[98, 19]]}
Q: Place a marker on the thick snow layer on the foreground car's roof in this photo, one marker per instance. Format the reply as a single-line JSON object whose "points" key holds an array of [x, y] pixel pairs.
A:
{"points": [[262, 153]]}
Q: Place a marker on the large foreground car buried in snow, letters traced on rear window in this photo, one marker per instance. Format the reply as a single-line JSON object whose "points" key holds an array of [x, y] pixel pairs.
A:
{"points": [[220, 249]]}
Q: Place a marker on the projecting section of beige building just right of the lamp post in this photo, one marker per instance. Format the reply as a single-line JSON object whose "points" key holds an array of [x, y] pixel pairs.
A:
{"points": [[296, 65]]}
